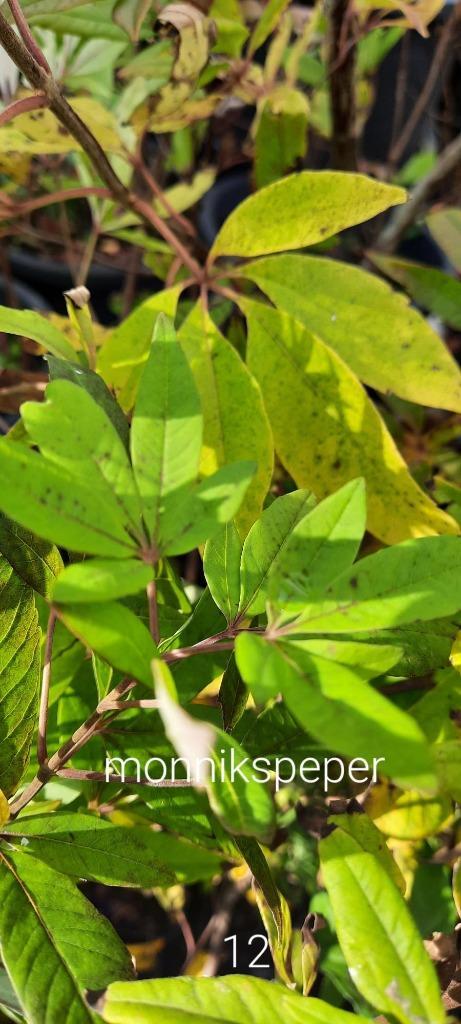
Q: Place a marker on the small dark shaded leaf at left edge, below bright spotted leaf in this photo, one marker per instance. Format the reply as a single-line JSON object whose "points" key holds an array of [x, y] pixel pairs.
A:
{"points": [[36, 562]]}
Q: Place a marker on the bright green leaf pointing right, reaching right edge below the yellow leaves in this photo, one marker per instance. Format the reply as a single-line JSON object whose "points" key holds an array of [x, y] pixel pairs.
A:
{"points": [[395, 586]]}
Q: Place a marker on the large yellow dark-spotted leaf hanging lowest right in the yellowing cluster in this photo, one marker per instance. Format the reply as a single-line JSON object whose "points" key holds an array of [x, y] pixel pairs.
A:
{"points": [[310, 393]]}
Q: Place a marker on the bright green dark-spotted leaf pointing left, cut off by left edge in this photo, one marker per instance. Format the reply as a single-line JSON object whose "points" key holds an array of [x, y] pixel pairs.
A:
{"points": [[60, 507]]}
